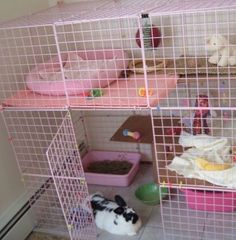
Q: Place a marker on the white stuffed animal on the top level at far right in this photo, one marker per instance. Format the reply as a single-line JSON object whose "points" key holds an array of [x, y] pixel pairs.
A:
{"points": [[224, 53]]}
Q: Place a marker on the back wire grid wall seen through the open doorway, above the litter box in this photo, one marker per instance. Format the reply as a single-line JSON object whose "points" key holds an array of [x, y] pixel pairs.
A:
{"points": [[95, 129]]}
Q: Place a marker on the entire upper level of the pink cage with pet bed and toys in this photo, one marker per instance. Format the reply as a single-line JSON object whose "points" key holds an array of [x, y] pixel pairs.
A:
{"points": [[106, 54]]}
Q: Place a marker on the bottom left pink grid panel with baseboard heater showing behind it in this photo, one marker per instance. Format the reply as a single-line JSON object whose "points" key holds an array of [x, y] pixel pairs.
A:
{"points": [[45, 205]]}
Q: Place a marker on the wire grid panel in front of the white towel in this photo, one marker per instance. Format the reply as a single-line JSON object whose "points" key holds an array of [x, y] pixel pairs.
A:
{"points": [[193, 150]]}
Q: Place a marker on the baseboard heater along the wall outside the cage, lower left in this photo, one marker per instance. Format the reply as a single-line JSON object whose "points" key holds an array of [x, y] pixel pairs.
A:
{"points": [[9, 226]]}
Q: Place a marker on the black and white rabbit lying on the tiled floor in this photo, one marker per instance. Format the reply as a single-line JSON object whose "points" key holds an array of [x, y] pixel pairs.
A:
{"points": [[115, 216]]}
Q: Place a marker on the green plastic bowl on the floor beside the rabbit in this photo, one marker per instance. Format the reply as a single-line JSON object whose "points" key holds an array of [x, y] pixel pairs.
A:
{"points": [[150, 193]]}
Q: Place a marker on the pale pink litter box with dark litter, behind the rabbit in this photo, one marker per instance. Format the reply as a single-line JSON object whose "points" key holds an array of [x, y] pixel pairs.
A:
{"points": [[111, 179]]}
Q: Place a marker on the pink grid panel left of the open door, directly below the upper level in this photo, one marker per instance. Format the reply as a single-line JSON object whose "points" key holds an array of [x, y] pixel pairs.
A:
{"points": [[30, 133]]}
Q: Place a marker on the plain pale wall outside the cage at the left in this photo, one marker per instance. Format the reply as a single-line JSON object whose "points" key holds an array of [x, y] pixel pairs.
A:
{"points": [[11, 188]]}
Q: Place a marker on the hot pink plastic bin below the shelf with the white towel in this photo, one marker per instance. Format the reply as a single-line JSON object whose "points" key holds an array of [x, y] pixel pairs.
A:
{"points": [[212, 201]]}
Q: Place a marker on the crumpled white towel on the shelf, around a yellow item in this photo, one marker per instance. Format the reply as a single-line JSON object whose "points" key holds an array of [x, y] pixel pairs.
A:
{"points": [[211, 148]]}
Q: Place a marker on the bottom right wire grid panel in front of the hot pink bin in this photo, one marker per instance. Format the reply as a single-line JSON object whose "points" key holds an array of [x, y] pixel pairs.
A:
{"points": [[198, 214]]}
